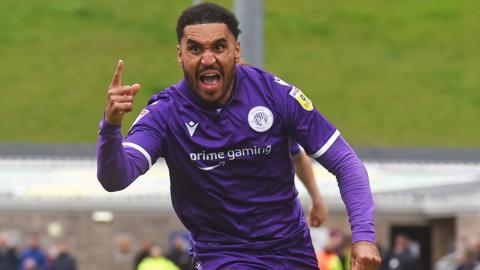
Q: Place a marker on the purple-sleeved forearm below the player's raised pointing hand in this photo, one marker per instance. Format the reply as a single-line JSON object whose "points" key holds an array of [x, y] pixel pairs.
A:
{"points": [[116, 167]]}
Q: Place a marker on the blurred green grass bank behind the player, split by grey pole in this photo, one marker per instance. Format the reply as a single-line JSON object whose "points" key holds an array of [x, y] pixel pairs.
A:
{"points": [[387, 73]]}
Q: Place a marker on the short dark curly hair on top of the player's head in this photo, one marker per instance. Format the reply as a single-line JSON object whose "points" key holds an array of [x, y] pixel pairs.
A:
{"points": [[207, 13]]}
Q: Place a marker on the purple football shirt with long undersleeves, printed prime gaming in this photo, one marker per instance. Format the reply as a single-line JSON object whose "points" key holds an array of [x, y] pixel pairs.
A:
{"points": [[231, 173]]}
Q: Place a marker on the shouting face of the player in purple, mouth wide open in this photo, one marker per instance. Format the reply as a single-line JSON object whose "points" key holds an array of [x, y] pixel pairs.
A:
{"points": [[207, 54]]}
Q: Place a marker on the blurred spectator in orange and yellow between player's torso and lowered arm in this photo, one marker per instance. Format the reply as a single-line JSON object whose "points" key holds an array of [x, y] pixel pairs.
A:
{"points": [[329, 258]]}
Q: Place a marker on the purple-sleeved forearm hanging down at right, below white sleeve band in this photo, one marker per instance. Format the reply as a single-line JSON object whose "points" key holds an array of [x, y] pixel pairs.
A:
{"points": [[354, 186]]}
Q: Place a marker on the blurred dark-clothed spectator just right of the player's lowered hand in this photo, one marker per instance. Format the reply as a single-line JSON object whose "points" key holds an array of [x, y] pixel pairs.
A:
{"points": [[400, 257]]}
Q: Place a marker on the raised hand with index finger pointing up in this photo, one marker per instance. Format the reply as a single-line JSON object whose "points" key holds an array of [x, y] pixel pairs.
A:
{"points": [[119, 98]]}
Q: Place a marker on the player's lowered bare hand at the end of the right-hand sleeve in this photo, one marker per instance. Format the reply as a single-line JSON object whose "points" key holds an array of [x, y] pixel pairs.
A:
{"points": [[365, 256]]}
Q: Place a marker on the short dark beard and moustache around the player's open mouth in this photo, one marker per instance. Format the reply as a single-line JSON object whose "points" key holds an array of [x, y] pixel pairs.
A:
{"points": [[228, 79]]}
